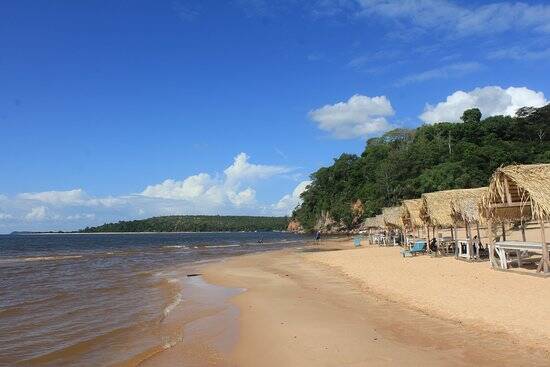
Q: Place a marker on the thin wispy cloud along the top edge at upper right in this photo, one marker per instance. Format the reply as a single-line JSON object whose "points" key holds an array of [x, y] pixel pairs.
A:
{"points": [[462, 19]]}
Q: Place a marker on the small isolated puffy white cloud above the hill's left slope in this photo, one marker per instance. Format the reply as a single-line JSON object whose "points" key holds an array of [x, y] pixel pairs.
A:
{"points": [[358, 117]]}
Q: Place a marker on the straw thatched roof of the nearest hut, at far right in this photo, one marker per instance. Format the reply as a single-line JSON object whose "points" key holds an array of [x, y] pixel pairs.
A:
{"points": [[518, 192]]}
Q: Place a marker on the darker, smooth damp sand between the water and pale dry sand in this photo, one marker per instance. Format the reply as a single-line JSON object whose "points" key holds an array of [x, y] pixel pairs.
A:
{"points": [[300, 310]]}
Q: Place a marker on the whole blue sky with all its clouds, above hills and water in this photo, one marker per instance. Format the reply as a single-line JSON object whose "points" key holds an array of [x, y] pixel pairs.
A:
{"points": [[116, 110]]}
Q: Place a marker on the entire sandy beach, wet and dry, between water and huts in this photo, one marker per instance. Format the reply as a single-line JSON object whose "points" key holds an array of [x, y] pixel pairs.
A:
{"points": [[333, 305]]}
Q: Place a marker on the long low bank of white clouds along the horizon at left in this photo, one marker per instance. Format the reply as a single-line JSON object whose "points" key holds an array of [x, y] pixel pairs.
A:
{"points": [[231, 192]]}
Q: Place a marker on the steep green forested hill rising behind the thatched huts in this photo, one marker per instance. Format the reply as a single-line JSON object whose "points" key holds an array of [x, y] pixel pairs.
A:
{"points": [[405, 163]]}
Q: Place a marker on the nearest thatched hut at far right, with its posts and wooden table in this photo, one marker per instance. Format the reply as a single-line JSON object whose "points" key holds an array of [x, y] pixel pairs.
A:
{"points": [[518, 193]]}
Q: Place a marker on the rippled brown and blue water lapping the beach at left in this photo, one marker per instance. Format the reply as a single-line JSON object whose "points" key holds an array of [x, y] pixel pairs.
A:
{"points": [[100, 299]]}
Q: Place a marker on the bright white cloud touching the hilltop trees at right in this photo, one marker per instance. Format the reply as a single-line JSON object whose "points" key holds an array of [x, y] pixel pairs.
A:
{"points": [[491, 101]]}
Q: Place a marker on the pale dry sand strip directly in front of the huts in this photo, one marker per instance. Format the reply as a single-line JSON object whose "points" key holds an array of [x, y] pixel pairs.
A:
{"points": [[469, 293]]}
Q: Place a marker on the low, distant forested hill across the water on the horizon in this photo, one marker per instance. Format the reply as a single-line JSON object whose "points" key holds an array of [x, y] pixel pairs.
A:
{"points": [[195, 223]]}
